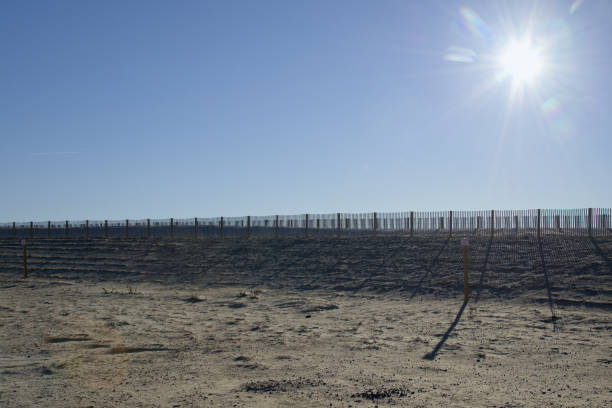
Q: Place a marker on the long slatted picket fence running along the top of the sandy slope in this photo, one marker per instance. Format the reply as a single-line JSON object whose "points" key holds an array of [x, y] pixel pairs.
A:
{"points": [[579, 222]]}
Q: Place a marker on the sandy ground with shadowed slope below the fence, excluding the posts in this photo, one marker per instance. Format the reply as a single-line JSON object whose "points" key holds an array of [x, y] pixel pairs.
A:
{"points": [[338, 322]]}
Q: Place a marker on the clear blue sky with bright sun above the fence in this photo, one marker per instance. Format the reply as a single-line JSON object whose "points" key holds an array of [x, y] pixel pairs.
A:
{"points": [[117, 109]]}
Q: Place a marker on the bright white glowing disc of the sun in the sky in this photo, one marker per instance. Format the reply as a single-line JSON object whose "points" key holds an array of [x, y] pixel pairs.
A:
{"points": [[521, 61]]}
